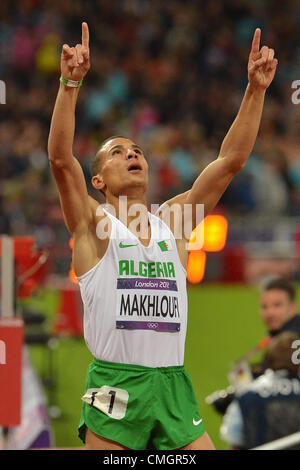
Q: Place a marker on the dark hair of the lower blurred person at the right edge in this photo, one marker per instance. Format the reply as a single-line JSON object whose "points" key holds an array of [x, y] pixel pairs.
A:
{"points": [[279, 352]]}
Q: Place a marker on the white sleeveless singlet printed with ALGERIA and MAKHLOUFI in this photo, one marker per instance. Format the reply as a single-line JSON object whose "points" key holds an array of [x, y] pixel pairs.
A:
{"points": [[135, 299]]}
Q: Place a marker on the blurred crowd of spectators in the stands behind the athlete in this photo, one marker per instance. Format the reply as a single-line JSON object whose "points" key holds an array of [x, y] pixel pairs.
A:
{"points": [[170, 75]]}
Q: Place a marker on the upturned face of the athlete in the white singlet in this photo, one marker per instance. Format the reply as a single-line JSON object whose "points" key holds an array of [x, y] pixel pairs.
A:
{"points": [[123, 167]]}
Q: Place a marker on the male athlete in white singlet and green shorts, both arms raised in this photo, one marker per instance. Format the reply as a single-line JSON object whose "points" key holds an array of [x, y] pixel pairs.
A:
{"points": [[133, 280]]}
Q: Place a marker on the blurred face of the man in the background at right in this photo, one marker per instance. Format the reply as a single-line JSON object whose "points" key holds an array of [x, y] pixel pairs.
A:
{"points": [[276, 308]]}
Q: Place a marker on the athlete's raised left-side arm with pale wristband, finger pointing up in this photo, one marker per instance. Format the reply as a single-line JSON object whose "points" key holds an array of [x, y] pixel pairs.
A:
{"points": [[75, 202]]}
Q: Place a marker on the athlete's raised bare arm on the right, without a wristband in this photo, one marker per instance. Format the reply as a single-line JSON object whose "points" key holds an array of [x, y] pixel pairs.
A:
{"points": [[239, 141]]}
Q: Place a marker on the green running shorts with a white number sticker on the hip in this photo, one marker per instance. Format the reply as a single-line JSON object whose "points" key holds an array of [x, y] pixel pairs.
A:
{"points": [[140, 407]]}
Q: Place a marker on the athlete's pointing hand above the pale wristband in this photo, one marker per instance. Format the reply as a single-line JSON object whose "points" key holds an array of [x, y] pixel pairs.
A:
{"points": [[75, 61]]}
